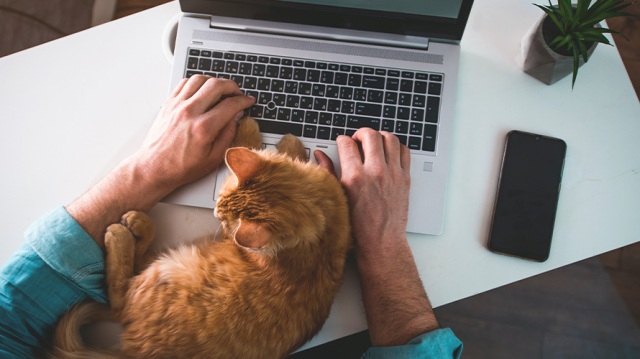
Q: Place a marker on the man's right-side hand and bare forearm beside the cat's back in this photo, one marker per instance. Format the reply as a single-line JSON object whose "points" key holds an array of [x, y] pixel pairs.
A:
{"points": [[375, 174]]}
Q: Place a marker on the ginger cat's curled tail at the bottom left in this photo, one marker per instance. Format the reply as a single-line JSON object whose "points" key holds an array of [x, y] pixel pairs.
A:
{"points": [[67, 340]]}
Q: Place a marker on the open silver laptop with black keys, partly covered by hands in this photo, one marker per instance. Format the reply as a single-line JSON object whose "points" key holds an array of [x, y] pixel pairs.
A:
{"points": [[323, 68]]}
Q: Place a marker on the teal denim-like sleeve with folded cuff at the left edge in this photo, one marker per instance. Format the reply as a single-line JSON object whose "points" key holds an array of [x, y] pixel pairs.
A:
{"points": [[59, 266]]}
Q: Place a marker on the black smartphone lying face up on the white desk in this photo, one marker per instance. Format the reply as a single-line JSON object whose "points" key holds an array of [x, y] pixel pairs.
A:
{"points": [[527, 196]]}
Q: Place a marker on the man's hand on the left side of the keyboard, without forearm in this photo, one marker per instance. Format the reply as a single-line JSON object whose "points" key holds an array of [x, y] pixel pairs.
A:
{"points": [[193, 130]]}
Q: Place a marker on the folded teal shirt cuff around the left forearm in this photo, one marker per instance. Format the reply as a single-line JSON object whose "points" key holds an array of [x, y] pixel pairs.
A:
{"points": [[69, 250]]}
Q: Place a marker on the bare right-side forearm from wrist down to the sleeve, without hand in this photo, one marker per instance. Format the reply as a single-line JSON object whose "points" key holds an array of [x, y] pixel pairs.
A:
{"points": [[396, 304]]}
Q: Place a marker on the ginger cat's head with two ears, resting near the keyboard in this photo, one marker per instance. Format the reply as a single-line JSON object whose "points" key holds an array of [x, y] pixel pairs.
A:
{"points": [[272, 202]]}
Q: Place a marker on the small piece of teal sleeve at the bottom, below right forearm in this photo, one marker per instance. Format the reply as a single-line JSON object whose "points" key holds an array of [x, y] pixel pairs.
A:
{"points": [[437, 344]]}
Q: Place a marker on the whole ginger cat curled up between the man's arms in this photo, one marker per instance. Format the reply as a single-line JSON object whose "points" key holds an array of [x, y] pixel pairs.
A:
{"points": [[261, 292]]}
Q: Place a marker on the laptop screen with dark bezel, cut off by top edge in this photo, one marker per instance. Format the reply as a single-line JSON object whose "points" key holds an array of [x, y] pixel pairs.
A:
{"points": [[438, 19]]}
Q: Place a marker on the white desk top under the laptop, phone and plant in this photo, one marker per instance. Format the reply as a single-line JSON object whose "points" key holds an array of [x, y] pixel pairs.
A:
{"points": [[72, 109]]}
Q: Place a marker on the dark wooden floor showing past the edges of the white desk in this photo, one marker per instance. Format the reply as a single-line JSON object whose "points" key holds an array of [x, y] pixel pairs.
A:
{"points": [[590, 309]]}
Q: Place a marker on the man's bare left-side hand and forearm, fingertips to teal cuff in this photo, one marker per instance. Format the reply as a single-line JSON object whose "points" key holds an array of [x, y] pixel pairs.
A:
{"points": [[188, 140]]}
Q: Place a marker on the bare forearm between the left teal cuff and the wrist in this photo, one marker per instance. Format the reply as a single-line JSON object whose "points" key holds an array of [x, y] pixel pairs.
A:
{"points": [[128, 187]]}
